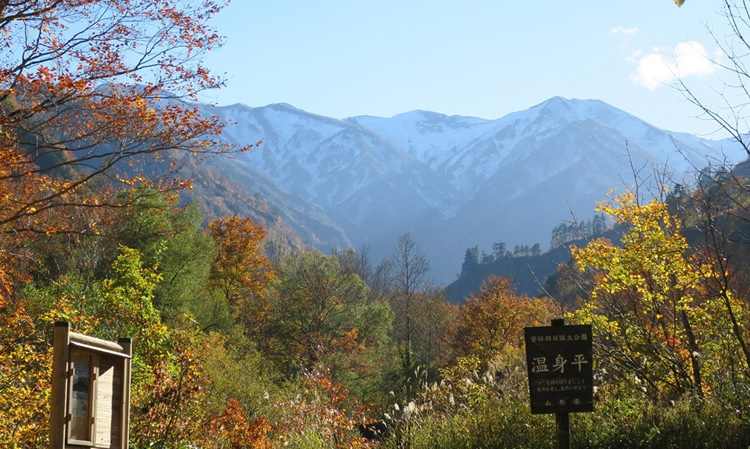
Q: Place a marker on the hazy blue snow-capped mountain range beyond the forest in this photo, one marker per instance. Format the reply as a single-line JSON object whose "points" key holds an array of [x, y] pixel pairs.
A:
{"points": [[453, 182]]}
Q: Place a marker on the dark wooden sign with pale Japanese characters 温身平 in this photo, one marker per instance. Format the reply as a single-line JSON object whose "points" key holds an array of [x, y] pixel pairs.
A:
{"points": [[559, 367]]}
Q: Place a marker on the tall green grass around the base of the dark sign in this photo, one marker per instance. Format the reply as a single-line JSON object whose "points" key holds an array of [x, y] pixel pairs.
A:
{"points": [[488, 412]]}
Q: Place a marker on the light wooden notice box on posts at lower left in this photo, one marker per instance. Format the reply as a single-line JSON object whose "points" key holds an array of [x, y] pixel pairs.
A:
{"points": [[90, 391]]}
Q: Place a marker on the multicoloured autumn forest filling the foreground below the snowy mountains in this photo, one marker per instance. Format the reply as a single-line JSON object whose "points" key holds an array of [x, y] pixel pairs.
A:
{"points": [[243, 340]]}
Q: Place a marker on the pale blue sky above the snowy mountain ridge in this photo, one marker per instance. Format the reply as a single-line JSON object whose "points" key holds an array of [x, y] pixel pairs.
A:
{"points": [[483, 58]]}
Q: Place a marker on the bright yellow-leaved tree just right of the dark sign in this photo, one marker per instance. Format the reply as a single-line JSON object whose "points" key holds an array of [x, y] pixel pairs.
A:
{"points": [[657, 323]]}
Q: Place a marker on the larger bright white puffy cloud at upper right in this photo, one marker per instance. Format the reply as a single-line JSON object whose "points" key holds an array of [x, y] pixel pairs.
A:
{"points": [[687, 59]]}
